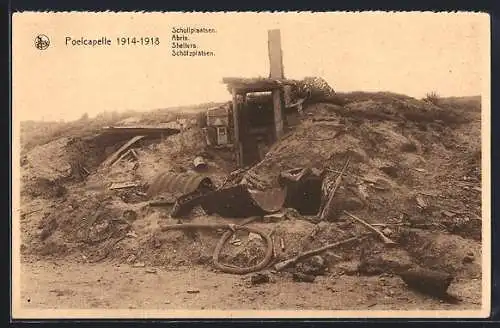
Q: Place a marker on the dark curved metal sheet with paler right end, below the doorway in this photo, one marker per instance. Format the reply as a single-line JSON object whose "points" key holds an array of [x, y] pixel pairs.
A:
{"points": [[239, 202]]}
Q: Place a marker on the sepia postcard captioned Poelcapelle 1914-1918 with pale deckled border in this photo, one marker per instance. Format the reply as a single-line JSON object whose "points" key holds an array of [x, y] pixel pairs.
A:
{"points": [[250, 165]]}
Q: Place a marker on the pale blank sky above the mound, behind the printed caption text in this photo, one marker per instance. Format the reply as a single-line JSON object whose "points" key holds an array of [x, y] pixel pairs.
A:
{"points": [[408, 53]]}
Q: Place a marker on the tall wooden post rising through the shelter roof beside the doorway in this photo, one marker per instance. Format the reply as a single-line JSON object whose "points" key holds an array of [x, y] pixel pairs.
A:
{"points": [[276, 72]]}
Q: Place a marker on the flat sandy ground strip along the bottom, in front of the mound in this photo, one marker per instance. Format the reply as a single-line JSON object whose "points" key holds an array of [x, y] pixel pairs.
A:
{"points": [[66, 285]]}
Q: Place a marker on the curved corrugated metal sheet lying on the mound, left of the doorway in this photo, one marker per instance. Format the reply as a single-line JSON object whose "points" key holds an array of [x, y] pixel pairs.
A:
{"points": [[179, 184]]}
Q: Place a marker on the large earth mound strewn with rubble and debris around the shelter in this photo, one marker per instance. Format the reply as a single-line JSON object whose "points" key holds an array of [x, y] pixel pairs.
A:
{"points": [[398, 179]]}
